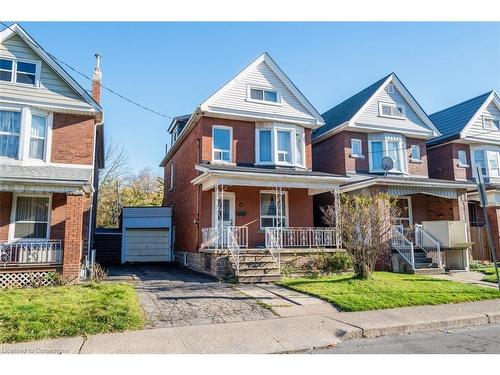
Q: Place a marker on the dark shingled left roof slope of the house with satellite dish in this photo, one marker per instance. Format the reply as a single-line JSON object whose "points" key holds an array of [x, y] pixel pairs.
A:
{"points": [[346, 110]]}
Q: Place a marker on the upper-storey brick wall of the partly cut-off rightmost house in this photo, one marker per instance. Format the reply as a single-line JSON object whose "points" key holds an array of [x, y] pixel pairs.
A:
{"points": [[443, 162]]}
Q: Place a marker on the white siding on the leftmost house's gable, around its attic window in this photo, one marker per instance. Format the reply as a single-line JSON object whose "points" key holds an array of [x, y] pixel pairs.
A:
{"points": [[52, 91]]}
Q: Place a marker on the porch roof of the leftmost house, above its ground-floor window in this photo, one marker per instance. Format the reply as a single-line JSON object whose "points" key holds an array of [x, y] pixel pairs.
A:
{"points": [[46, 179]]}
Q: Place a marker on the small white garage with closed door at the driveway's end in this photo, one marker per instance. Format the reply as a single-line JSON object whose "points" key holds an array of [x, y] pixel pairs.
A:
{"points": [[147, 234]]}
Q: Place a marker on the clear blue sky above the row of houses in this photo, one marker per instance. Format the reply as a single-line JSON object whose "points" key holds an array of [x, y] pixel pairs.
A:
{"points": [[172, 67]]}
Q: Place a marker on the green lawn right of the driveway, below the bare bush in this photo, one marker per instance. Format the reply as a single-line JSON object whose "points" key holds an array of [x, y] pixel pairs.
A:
{"points": [[388, 290]]}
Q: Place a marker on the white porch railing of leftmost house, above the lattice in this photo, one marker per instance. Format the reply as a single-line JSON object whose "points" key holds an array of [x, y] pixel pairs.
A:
{"points": [[21, 253]]}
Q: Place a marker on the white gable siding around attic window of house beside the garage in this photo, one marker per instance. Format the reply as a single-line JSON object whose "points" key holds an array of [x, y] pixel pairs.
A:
{"points": [[234, 96]]}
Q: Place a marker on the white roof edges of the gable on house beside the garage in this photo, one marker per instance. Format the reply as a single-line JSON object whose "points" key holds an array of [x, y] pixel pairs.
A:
{"points": [[265, 57]]}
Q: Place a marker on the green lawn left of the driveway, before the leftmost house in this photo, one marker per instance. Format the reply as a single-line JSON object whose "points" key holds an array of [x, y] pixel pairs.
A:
{"points": [[62, 311]]}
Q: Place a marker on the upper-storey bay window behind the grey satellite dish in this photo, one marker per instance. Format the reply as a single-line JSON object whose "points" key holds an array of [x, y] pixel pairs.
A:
{"points": [[381, 145]]}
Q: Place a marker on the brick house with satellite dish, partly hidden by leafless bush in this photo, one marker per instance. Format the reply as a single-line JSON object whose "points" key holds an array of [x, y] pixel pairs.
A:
{"points": [[384, 123]]}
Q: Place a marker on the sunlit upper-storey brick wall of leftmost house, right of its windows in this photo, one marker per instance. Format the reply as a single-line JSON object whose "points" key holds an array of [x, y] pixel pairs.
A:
{"points": [[72, 139]]}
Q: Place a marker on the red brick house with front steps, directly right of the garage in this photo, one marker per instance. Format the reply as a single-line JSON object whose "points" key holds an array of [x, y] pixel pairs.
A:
{"points": [[239, 168]]}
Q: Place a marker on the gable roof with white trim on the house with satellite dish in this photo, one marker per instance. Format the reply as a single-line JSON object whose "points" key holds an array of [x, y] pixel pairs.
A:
{"points": [[350, 109]]}
